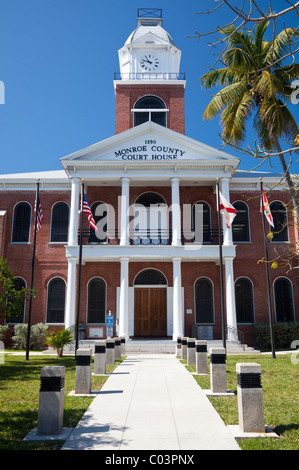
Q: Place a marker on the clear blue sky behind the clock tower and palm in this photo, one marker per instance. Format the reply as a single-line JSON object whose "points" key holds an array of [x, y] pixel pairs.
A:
{"points": [[57, 60]]}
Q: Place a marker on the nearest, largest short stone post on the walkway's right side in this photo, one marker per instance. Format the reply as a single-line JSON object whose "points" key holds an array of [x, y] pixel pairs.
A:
{"points": [[250, 398]]}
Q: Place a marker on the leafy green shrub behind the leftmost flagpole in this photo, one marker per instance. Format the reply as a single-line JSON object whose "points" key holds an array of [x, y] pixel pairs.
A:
{"points": [[38, 335]]}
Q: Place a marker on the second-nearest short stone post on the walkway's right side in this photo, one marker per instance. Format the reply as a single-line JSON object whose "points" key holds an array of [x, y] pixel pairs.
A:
{"points": [[218, 370]]}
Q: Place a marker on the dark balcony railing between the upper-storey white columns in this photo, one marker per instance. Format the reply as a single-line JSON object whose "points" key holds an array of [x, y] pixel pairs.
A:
{"points": [[151, 237]]}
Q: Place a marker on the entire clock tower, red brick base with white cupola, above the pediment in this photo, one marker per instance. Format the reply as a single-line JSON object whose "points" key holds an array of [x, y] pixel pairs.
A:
{"points": [[149, 86]]}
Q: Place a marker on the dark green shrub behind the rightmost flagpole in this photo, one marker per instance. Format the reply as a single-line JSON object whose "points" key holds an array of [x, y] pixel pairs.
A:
{"points": [[284, 335]]}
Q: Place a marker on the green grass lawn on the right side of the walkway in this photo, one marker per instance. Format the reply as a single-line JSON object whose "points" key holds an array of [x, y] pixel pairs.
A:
{"points": [[280, 379]]}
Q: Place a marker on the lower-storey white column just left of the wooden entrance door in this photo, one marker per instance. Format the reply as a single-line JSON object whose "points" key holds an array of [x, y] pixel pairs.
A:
{"points": [[124, 298]]}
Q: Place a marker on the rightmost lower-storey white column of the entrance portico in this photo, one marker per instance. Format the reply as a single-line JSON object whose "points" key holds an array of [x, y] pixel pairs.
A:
{"points": [[231, 316]]}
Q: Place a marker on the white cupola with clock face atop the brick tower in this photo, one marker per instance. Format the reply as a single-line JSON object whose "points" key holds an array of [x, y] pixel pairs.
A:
{"points": [[149, 52]]}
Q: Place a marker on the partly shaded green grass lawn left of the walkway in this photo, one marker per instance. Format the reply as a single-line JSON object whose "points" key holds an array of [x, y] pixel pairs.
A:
{"points": [[19, 399]]}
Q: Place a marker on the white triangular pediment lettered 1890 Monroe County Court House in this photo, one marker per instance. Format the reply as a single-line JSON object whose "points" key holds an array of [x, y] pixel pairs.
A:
{"points": [[149, 143]]}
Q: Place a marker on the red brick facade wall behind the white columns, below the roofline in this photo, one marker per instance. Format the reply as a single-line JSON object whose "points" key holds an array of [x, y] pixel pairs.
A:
{"points": [[51, 261]]}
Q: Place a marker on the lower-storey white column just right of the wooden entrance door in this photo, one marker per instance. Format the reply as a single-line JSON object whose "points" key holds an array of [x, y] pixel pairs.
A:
{"points": [[177, 299]]}
